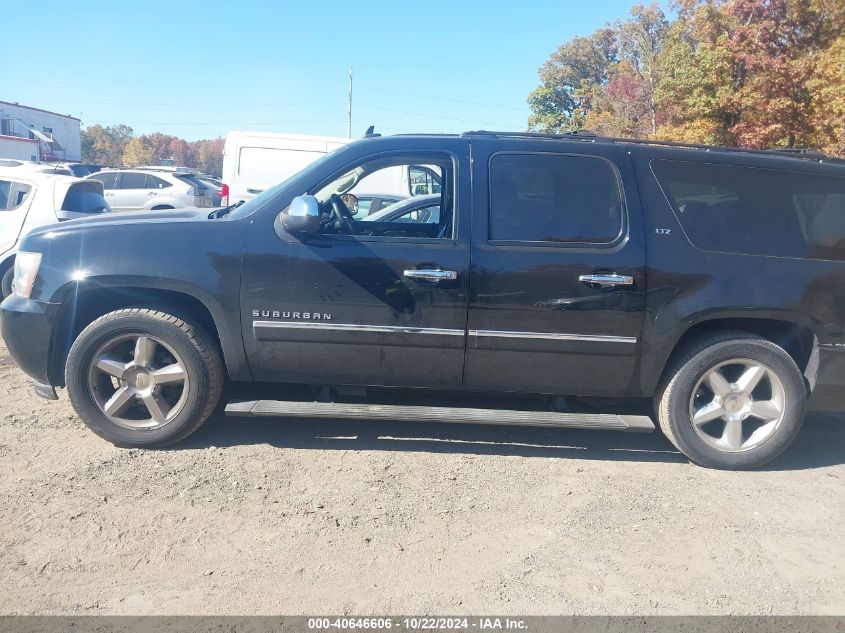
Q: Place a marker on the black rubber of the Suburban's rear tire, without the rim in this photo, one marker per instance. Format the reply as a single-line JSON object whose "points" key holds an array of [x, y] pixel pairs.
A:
{"points": [[691, 372]]}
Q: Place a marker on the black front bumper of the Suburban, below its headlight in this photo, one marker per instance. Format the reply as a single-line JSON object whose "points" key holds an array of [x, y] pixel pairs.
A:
{"points": [[27, 329]]}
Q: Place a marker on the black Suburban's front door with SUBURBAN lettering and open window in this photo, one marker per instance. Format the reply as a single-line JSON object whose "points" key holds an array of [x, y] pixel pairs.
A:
{"points": [[368, 304]]}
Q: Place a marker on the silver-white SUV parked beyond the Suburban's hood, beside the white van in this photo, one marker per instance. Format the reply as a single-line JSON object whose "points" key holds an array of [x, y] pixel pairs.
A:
{"points": [[153, 189]]}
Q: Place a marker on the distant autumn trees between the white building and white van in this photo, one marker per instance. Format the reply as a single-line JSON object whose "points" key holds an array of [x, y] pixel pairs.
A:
{"points": [[117, 146]]}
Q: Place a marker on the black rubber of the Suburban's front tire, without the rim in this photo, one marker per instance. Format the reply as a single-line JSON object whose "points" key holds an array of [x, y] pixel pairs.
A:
{"points": [[81, 355]]}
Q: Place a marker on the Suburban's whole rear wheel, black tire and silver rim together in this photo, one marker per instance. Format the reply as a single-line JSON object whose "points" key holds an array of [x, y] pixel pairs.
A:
{"points": [[708, 383]]}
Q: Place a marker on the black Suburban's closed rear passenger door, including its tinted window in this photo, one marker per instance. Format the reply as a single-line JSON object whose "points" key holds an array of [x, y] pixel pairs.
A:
{"points": [[558, 276]]}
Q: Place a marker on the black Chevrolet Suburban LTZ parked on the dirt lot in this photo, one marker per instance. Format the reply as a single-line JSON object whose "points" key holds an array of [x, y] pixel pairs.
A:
{"points": [[710, 281]]}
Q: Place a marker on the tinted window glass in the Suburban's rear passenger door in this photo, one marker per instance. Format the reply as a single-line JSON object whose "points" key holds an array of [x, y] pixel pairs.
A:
{"points": [[553, 198]]}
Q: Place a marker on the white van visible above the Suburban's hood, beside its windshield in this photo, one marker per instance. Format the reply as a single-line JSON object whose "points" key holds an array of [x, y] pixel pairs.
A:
{"points": [[254, 161]]}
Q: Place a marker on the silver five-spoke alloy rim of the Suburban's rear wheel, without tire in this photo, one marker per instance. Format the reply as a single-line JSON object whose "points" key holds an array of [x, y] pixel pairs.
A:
{"points": [[737, 405]]}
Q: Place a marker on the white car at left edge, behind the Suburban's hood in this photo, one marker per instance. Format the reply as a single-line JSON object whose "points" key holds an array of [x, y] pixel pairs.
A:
{"points": [[29, 199]]}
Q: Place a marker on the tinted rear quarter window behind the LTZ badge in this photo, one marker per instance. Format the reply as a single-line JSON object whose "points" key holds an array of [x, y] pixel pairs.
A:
{"points": [[756, 211]]}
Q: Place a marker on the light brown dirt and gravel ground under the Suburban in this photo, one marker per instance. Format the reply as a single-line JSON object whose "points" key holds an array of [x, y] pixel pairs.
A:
{"points": [[292, 517]]}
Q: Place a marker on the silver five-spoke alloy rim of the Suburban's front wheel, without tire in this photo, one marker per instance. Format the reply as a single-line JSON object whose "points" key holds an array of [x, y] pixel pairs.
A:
{"points": [[138, 381]]}
